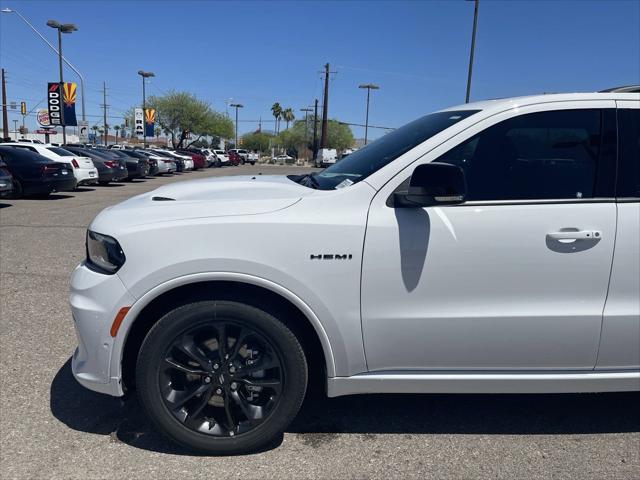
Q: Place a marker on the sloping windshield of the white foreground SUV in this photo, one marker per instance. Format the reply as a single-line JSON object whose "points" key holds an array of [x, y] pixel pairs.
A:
{"points": [[360, 164]]}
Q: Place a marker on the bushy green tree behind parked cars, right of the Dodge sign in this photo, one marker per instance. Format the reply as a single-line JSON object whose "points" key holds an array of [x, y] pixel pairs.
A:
{"points": [[182, 114]]}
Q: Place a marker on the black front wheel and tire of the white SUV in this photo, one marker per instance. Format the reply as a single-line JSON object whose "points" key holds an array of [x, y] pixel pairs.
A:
{"points": [[221, 377]]}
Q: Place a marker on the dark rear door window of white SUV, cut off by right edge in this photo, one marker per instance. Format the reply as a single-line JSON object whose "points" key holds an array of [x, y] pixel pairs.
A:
{"points": [[629, 153]]}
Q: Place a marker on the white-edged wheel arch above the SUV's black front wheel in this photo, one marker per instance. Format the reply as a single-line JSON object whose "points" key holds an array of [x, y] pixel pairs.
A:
{"points": [[255, 291]]}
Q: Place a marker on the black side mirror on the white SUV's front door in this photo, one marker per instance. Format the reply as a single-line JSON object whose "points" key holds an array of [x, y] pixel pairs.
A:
{"points": [[433, 184]]}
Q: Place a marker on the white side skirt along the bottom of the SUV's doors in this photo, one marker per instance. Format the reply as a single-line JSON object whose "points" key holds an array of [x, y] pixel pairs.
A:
{"points": [[402, 382]]}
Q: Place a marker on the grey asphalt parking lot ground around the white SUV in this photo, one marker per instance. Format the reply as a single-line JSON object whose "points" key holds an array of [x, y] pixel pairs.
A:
{"points": [[50, 427]]}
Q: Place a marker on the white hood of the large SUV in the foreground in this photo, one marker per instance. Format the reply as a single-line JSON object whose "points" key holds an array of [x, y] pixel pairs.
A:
{"points": [[204, 198]]}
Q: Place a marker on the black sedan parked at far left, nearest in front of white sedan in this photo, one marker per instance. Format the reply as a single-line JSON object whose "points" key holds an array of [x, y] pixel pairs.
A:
{"points": [[34, 174]]}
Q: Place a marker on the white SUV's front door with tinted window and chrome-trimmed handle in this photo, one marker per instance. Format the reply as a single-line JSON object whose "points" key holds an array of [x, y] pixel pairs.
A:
{"points": [[515, 278]]}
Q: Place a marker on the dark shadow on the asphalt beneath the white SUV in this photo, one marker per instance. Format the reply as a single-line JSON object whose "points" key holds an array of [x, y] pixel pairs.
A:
{"points": [[321, 418]]}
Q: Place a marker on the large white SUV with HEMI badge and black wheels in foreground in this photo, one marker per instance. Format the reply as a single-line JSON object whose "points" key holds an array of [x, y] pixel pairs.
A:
{"points": [[490, 247]]}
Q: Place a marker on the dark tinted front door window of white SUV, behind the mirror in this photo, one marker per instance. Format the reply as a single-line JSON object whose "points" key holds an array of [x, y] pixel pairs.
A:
{"points": [[546, 155]]}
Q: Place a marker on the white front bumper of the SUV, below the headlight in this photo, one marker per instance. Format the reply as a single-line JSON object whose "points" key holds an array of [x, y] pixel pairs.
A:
{"points": [[95, 300]]}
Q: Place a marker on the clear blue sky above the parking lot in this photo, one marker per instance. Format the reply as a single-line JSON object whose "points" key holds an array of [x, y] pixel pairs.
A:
{"points": [[261, 52]]}
